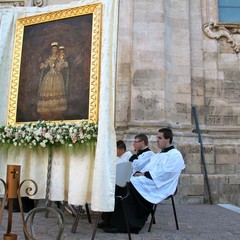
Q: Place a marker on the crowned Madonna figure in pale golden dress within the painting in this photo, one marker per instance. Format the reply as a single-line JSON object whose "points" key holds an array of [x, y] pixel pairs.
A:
{"points": [[52, 93]]}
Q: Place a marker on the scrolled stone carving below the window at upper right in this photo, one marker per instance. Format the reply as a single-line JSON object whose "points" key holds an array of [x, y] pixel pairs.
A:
{"points": [[217, 31]]}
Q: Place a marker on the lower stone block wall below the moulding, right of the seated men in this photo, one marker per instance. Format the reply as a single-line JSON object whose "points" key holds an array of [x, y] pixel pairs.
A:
{"points": [[222, 163]]}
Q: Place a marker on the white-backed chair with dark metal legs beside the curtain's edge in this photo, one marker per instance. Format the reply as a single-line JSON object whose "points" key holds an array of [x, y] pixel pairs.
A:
{"points": [[123, 174]]}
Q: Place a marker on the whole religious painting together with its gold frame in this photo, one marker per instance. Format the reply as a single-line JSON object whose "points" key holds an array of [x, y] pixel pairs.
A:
{"points": [[56, 66]]}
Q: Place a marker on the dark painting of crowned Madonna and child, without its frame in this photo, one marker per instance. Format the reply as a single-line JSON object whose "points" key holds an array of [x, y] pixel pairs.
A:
{"points": [[55, 70]]}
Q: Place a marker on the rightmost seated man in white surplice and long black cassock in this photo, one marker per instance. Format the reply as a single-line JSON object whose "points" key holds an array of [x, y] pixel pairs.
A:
{"points": [[150, 185]]}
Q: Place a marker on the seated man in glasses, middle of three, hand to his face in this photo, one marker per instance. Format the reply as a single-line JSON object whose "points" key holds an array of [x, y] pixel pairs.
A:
{"points": [[142, 154]]}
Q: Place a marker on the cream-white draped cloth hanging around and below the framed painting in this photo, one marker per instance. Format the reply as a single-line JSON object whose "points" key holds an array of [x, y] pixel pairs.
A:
{"points": [[77, 176]]}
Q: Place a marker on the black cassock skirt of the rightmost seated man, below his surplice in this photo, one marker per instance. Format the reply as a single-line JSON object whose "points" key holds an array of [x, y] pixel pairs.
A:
{"points": [[137, 208]]}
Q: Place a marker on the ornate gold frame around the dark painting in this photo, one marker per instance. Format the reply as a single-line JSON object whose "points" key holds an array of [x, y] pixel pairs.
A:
{"points": [[94, 81]]}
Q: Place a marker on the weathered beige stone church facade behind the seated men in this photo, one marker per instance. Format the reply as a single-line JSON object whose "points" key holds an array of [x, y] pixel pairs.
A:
{"points": [[174, 55]]}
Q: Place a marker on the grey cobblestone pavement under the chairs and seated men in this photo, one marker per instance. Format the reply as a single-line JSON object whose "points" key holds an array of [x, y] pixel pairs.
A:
{"points": [[196, 222]]}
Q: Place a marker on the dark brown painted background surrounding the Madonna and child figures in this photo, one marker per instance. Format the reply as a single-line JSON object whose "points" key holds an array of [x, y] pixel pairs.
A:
{"points": [[75, 34]]}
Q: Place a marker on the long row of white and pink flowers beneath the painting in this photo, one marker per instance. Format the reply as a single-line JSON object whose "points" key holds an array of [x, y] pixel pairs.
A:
{"points": [[45, 134]]}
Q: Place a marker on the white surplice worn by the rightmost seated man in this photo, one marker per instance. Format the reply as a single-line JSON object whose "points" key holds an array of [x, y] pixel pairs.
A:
{"points": [[165, 169]]}
